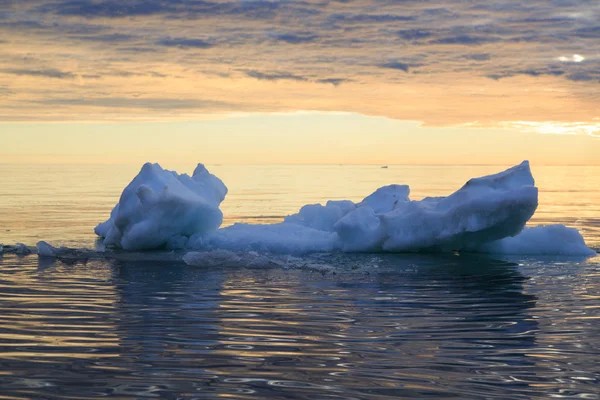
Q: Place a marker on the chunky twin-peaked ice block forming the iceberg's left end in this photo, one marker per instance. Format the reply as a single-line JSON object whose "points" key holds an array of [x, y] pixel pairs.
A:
{"points": [[161, 207]]}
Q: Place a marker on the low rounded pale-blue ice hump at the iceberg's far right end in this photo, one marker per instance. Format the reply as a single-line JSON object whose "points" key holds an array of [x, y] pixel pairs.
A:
{"points": [[554, 240]]}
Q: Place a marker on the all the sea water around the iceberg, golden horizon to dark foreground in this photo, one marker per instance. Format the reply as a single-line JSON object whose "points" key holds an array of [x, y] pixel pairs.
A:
{"points": [[364, 326]]}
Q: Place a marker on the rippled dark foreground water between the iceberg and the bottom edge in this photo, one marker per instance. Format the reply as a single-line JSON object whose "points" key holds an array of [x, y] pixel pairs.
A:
{"points": [[363, 327]]}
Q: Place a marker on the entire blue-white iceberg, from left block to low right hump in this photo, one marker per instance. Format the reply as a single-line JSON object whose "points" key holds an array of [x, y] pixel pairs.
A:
{"points": [[161, 209]]}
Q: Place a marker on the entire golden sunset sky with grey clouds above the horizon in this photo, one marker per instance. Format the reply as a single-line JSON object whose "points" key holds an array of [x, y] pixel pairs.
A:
{"points": [[300, 81]]}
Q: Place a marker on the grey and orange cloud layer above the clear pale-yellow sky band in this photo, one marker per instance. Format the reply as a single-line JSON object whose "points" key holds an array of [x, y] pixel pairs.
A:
{"points": [[431, 50]]}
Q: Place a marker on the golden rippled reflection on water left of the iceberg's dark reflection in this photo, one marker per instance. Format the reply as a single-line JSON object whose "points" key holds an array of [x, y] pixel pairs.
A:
{"points": [[55, 314]]}
